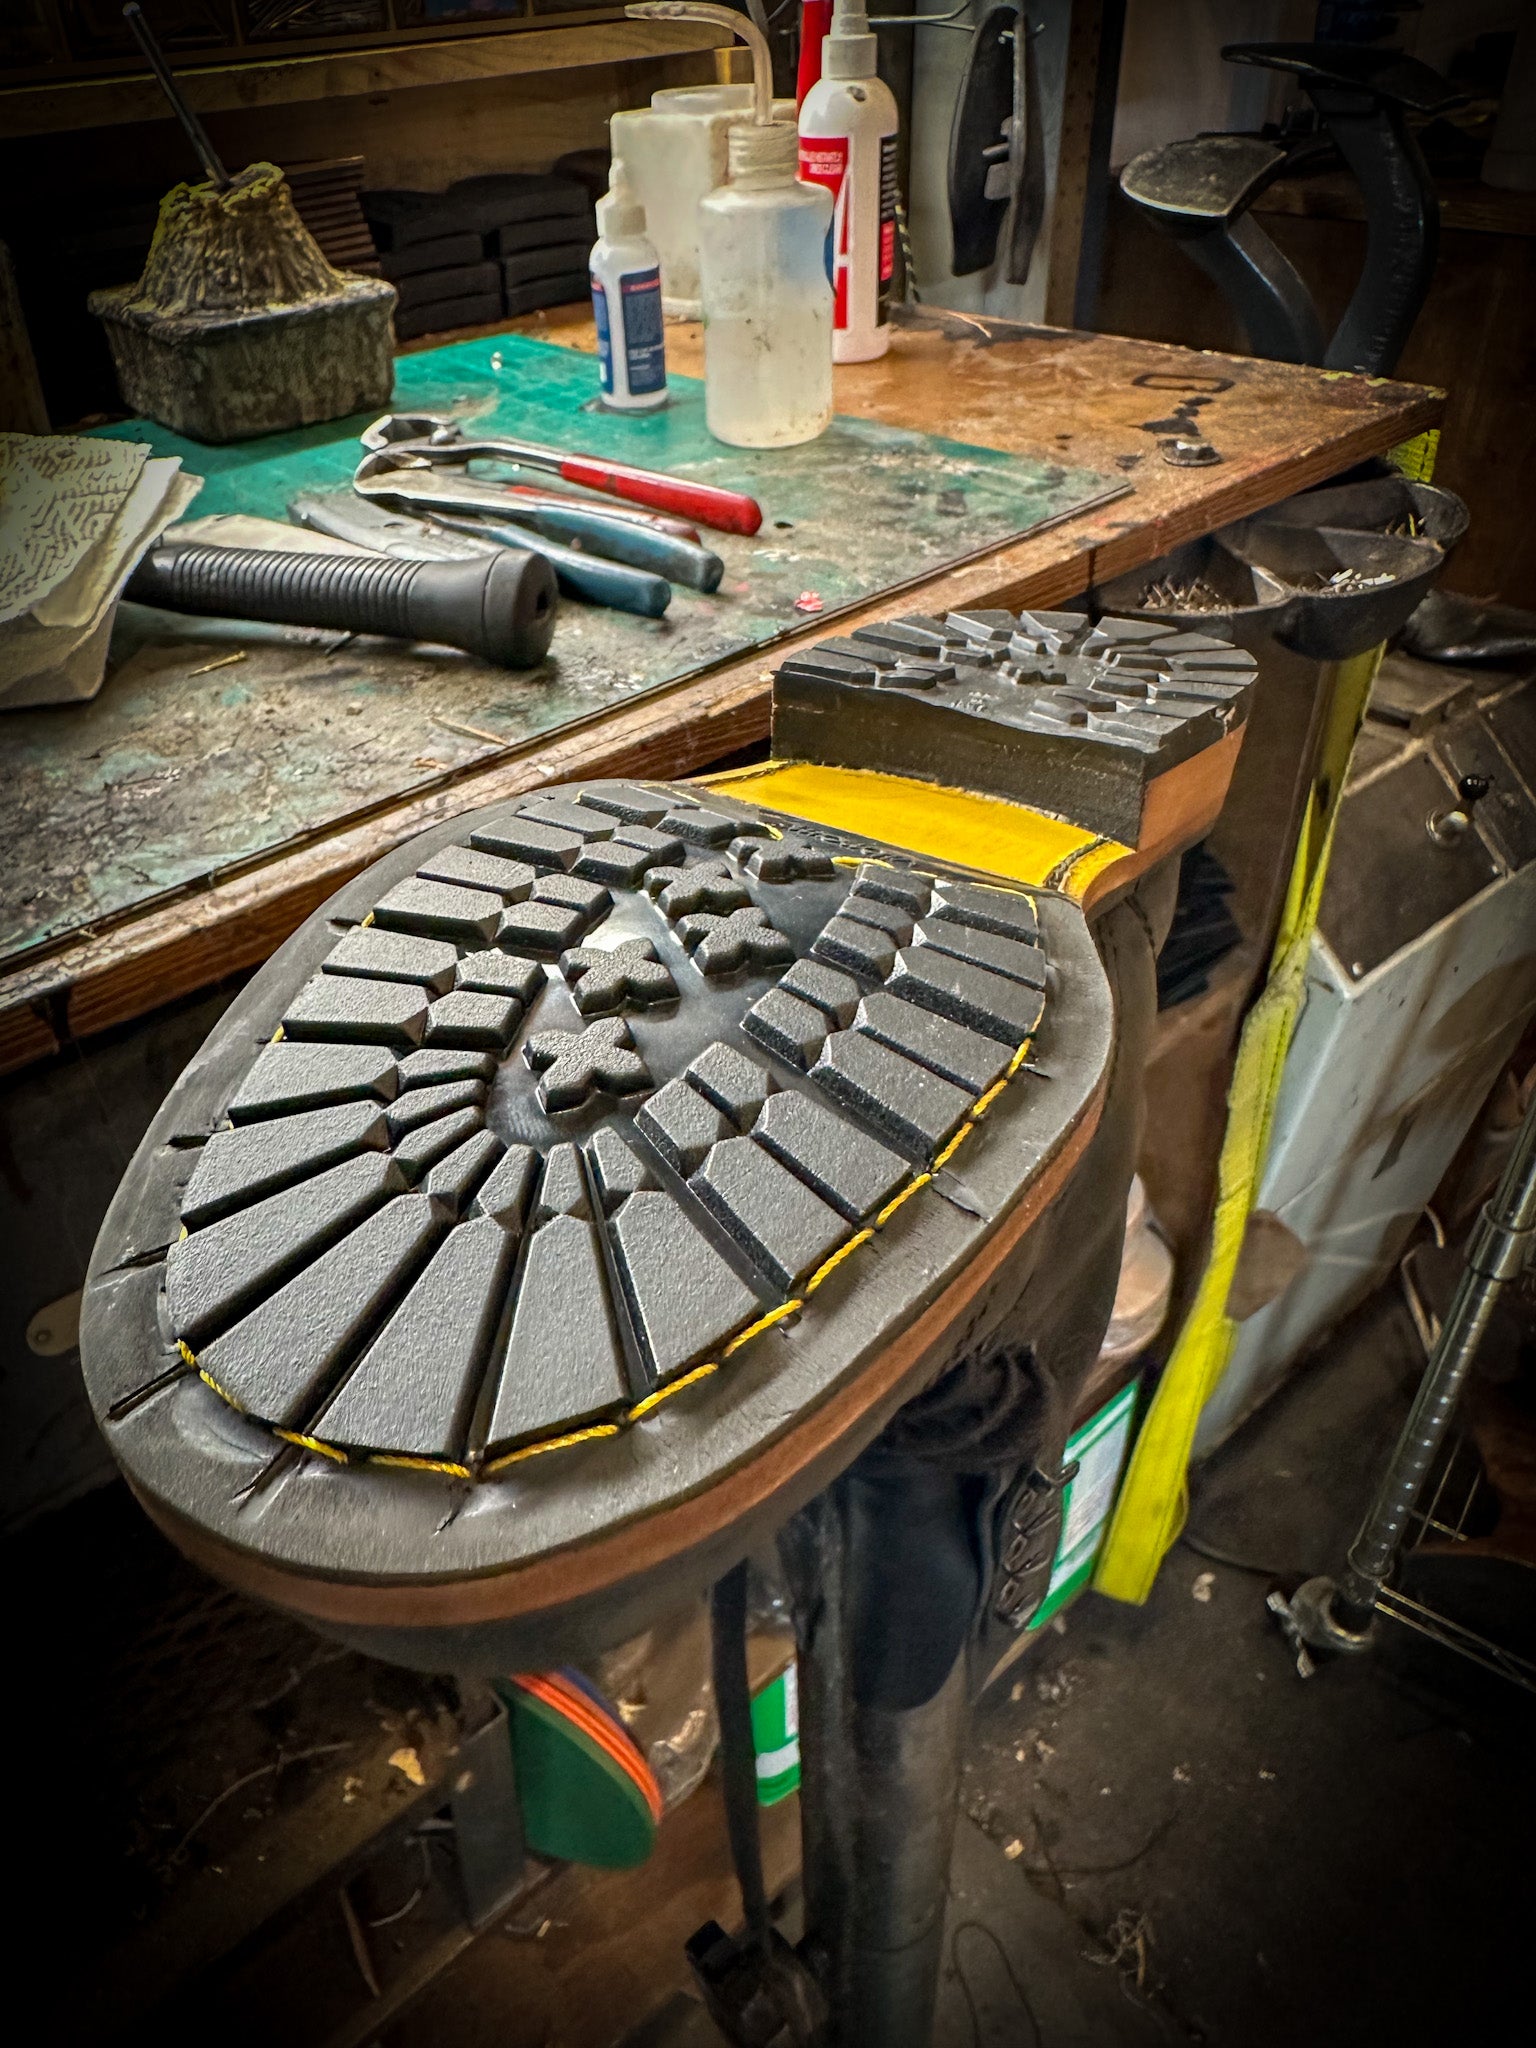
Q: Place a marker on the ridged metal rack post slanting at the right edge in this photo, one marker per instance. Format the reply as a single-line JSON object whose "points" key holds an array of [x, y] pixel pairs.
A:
{"points": [[1502, 1242]]}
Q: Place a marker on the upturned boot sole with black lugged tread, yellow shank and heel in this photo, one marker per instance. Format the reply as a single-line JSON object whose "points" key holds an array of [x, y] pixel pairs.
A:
{"points": [[593, 1179]]}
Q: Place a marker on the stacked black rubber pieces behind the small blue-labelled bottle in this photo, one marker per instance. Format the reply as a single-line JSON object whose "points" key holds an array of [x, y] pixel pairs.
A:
{"points": [[488, 247]]}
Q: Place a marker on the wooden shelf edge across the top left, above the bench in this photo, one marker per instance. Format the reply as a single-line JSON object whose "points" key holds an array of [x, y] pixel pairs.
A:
{"points": [[87, 103]]}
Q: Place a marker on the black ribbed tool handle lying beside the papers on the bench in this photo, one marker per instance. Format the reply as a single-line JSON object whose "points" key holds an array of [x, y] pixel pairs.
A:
{"points": [[501, 607]]}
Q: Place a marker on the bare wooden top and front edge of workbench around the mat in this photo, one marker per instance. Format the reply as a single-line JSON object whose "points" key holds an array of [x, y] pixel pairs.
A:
{"points": [[1119, 407]]}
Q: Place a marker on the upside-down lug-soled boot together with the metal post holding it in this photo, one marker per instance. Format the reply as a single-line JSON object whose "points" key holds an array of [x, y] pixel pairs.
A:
{"points": [[615, 1181]]}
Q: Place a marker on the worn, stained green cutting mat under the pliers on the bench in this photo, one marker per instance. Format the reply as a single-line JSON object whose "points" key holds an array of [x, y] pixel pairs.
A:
{"points": [[171, 777]]}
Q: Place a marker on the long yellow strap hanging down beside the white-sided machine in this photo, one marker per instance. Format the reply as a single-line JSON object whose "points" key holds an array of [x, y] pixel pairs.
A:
{"points": [[1154, 1498]]}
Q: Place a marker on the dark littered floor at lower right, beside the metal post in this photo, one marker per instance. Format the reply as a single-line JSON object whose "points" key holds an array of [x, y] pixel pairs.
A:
{"points": [[1252, 1859]]}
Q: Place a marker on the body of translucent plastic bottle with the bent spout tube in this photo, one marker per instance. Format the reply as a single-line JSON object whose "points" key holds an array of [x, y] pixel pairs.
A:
{"points": [[763, 267]]}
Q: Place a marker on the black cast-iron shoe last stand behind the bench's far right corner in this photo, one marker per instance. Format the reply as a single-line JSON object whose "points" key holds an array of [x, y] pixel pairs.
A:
{"points": [[1199, 194]]}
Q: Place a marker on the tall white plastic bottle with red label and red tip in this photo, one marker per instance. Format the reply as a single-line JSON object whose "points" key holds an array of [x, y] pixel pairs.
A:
{"points": [[849, 144]]}
